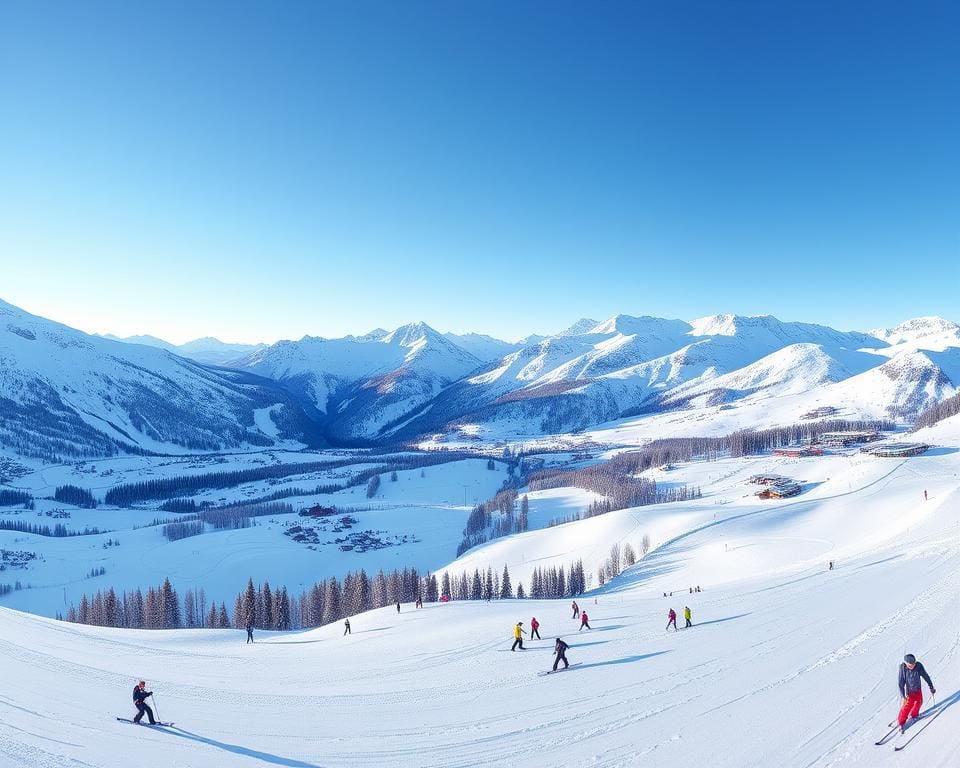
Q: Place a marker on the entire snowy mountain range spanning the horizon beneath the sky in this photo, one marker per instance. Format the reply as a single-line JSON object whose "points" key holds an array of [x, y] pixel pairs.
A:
{"points": [[64, 392]]}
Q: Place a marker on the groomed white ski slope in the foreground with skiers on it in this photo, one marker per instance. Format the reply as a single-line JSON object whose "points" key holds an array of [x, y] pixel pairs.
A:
{"points": [[788, 664]]}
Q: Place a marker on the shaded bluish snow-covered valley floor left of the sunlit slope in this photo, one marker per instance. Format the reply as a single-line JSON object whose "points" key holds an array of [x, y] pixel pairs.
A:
{"points": [[419, 518]]}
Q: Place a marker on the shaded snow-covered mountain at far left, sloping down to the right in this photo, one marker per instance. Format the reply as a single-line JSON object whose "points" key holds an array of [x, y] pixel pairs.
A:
{"points": [[64, 392]]}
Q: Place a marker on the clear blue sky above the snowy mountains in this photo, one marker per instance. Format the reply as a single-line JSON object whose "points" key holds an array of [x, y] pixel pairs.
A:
{"points": [[263, 170]]}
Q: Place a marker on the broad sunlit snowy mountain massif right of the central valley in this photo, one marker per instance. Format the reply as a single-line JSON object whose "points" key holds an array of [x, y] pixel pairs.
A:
{"points": [[627, 365]]}
